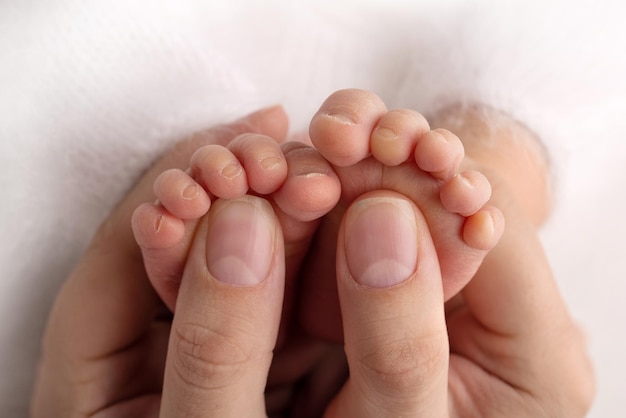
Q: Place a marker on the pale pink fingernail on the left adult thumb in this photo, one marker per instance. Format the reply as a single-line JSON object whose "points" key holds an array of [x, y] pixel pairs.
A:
{"points": [[240, 241]]}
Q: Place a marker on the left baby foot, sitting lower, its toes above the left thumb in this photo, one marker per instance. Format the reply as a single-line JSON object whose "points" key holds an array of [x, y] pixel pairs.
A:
{"points": [[299, 183]]}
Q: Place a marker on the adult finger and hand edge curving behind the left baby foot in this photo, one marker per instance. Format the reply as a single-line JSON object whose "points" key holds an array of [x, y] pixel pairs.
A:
{"points": [[107, 303]]}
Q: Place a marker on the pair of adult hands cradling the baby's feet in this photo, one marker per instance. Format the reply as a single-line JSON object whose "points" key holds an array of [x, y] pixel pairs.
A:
{"points": [[497, 355]]}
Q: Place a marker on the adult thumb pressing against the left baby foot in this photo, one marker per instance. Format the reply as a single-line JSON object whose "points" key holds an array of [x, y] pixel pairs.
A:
{"points": [[228, 314]]}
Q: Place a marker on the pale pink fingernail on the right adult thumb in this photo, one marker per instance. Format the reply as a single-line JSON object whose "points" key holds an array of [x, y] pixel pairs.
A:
{"points": [[381, 241]]}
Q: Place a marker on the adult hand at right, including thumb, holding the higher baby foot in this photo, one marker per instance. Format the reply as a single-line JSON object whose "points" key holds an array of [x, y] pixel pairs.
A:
{"points": [[507, 347]]}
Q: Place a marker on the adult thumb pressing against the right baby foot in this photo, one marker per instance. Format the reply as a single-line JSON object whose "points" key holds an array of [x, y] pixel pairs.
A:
{"points": [[392, 305]]}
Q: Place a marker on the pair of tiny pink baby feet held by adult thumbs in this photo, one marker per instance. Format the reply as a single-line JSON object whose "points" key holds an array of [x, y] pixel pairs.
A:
{"points": [[361, 148]]}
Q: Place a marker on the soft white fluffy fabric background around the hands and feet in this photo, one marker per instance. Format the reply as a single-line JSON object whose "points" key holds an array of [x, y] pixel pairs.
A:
{"points": [[91, 92]]}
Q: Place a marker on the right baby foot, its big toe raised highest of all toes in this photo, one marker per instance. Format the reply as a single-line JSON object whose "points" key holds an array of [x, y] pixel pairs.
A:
{"points": [[372, 149]]}
